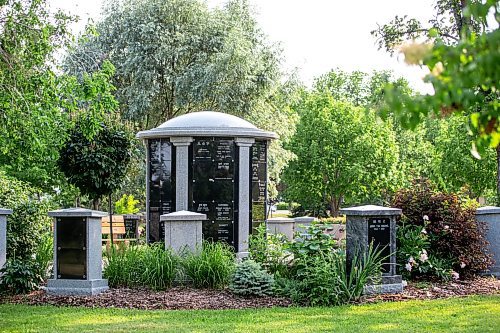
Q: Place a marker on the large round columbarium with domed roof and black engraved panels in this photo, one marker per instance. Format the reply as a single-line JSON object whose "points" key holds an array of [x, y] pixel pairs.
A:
{"points": [[210, 163]]}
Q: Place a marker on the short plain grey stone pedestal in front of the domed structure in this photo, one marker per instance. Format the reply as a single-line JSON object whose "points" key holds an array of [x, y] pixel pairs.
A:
{"points": [[183, 230]]}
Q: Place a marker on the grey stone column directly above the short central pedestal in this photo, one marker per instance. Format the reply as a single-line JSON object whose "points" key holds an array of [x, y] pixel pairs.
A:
{"points": [[181, 171]]}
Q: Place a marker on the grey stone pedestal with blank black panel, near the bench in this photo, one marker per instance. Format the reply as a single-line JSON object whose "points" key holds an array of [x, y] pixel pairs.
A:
{"points": [[77, 252]]}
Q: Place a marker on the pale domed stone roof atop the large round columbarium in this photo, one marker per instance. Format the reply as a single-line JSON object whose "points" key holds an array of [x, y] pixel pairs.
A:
{"points": [[206, 123]]}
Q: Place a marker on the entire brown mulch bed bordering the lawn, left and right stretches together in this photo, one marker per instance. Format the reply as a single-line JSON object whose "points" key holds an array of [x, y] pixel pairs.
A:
{"points": [[188, 298]]}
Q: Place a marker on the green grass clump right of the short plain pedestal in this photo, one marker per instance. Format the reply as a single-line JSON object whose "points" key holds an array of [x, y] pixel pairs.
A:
{"points": [[211, 266]]}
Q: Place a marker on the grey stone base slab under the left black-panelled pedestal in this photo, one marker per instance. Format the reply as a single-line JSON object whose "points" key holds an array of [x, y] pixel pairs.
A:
{"points": [[76, 287]]}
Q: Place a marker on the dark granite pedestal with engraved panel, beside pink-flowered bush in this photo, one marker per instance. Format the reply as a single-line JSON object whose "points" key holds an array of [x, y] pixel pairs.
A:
{"points": [[375, 225]]}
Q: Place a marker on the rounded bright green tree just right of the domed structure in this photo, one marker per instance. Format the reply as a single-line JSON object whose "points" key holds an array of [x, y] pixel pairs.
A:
{"points": [[343, 153]]}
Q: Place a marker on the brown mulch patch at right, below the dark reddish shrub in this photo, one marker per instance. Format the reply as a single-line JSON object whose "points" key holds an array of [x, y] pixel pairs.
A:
{"points": [[435, 290]]}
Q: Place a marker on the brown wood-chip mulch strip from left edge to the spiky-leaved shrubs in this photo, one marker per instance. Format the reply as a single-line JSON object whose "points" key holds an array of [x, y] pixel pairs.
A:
{"points": [[172, 299]]}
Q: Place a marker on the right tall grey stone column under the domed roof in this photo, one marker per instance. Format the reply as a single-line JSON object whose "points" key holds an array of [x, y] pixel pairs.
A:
{"points": [[244, 182]]}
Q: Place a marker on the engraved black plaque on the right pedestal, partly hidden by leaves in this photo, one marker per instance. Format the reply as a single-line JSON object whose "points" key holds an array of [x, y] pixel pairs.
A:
{"points": [[379, 232]]}
